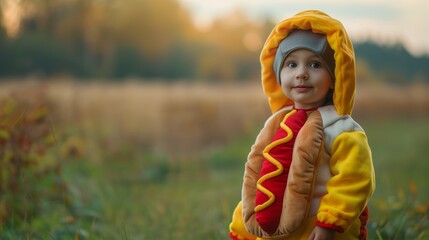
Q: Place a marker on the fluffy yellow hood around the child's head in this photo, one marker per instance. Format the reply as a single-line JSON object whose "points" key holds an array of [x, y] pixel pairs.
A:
{"points": [[318, 22]]}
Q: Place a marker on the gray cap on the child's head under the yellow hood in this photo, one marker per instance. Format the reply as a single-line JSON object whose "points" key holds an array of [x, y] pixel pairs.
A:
{"points": [[305, 39]]}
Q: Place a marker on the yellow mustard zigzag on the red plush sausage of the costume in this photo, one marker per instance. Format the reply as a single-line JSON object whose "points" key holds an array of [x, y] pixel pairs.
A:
{"points": [[275, 162]]}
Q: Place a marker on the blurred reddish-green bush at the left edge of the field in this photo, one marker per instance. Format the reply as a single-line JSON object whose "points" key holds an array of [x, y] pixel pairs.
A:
{"points": [[32, 185]]}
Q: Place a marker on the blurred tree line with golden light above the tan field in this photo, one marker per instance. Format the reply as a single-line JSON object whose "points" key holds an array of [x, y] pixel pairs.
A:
{"points": [[145, 39]]}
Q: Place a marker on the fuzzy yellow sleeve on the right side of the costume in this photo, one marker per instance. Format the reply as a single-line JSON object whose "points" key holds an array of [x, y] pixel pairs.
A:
{"points": [[352, 183]]}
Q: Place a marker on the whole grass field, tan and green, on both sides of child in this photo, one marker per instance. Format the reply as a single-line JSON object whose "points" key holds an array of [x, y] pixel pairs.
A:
{"points": [[166, 162]]}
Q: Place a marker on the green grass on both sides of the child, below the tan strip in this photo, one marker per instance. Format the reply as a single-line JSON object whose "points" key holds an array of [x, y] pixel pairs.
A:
{"points": [[135, 194]]}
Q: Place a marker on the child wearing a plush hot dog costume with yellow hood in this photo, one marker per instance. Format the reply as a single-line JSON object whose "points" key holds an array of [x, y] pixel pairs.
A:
{"points": [[309, 174]]}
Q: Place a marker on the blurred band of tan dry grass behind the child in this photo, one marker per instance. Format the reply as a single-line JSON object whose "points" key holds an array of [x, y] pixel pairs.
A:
{"points": [[179, 118]]}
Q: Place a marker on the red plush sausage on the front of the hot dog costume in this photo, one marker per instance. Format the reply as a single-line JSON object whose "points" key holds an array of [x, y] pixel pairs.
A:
{"points": [[269, 218]]}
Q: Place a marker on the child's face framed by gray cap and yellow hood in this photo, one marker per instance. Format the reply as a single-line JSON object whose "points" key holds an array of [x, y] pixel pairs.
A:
{"points": [[305, 80]]}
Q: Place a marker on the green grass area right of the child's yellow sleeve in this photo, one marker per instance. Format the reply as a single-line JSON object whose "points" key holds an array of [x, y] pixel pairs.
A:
{"points": [[400, 204]]}
